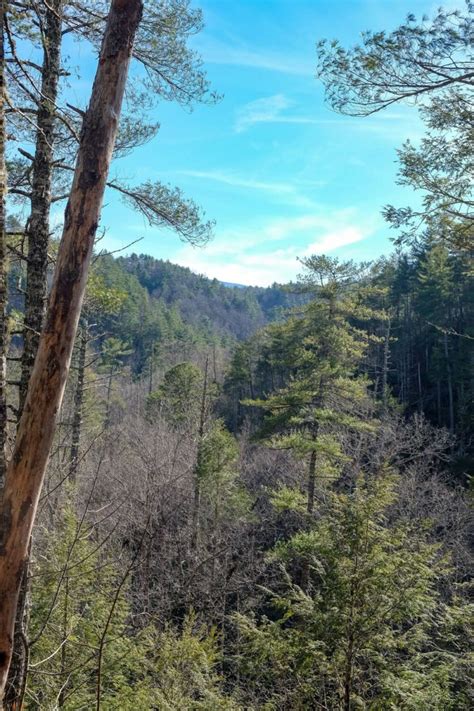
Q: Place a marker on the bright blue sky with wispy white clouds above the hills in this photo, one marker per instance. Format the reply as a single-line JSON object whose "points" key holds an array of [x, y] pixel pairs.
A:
{"points": [[281, 175]]}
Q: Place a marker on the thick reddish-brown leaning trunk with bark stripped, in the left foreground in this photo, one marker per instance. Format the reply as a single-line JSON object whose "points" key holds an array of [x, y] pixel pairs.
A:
{"points": [[26, 470]]}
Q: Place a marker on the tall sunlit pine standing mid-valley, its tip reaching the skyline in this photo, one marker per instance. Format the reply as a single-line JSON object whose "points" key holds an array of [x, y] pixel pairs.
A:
{"points": [[317, 354]]}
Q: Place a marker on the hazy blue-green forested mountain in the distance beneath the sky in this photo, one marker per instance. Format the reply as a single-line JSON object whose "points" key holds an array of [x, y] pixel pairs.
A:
{"points": [[169, 308]]}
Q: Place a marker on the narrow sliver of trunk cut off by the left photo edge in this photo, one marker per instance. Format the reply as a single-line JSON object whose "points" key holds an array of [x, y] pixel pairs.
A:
{"points": [[3, 264]]}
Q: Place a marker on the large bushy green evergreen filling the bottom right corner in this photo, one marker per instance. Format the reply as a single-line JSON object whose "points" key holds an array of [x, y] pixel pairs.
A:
{"points": [[371, 631]]}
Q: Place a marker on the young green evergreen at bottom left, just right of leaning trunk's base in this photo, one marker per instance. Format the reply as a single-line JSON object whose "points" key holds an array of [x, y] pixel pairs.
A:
{"points": [[78, 604]]}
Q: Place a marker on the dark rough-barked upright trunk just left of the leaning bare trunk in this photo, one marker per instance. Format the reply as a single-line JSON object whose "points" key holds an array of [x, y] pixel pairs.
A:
{"points": [[38, 222]]}
